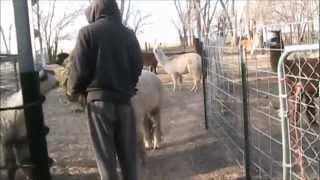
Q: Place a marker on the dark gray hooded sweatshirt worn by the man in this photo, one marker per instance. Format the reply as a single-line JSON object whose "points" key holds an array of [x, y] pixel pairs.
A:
{"points": [[107, 60]]}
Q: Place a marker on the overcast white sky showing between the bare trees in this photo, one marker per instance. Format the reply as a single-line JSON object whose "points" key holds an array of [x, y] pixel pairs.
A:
{"points": [[160, 26]]}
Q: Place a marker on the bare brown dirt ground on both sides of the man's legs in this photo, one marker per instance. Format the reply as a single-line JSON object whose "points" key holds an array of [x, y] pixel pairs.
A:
{"points": [[188, 151]]}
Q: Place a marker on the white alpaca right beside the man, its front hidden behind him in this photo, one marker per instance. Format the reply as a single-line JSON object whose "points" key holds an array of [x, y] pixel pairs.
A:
{"points": [[146, 105]]}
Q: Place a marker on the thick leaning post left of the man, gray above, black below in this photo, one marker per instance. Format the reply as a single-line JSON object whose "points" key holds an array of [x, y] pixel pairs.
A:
{"points": [[31, 94]]}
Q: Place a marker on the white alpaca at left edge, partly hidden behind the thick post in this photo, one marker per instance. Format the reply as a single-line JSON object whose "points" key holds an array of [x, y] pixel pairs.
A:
{"points": [[13, 133]]}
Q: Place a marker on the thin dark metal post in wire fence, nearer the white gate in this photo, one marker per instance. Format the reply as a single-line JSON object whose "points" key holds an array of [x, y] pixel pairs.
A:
{"points": [[245, 116]]}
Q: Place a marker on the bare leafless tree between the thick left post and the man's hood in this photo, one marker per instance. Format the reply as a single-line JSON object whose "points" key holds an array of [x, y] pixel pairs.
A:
{"points": [[50, 29]]}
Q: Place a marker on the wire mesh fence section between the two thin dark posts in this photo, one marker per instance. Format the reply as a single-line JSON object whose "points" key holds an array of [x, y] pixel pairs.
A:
{"points": [[223, 85]]}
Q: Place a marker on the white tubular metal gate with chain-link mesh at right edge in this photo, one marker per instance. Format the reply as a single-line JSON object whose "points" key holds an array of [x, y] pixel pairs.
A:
{"points": [[299, 76]]}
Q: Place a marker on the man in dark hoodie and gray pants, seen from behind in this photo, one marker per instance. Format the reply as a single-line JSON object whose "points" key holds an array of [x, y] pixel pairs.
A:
{"points": [[106, 66]]}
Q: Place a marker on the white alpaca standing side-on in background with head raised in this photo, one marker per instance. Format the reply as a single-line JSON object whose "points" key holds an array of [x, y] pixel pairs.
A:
{"points": [[178, 65]]}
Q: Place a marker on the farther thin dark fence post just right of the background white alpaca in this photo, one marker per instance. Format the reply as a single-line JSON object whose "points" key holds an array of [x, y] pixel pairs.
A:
{"points": [[199, 49]]}
